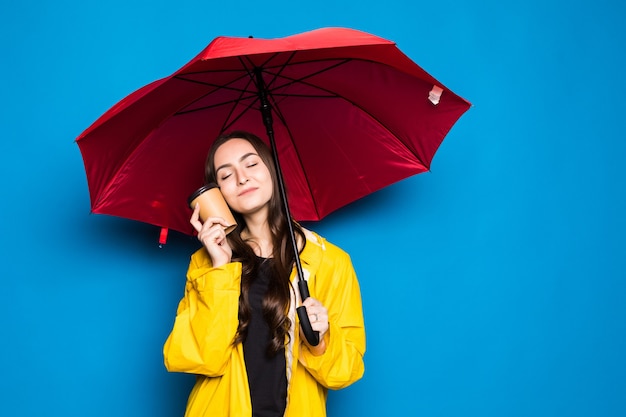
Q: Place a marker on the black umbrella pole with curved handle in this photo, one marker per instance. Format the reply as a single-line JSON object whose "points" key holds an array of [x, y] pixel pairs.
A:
{"points": [[266, 112]]}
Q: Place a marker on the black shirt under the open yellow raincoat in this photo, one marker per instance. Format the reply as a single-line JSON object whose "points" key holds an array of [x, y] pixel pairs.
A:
{"points": [[267, 376]]}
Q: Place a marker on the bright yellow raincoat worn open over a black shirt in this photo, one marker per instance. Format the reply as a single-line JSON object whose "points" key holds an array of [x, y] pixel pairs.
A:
{"points": [[206, 324]]}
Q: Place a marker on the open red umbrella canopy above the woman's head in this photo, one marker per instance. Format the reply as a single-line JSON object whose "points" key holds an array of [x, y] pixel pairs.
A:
{"points": [[351, 114]]}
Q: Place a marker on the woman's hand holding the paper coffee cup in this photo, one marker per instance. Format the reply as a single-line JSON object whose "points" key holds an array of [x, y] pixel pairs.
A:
{"points": [[211, 234]]}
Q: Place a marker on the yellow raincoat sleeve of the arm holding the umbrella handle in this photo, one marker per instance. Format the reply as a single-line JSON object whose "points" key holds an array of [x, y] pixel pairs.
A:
{"points": [[336, 287]]}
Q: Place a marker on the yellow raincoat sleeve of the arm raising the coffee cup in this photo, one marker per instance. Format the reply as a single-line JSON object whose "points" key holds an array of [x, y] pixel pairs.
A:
{"points": [[206, 320]]}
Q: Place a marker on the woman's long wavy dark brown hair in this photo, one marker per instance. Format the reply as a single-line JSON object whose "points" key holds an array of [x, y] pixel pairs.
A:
{"points": [[277, 299]]}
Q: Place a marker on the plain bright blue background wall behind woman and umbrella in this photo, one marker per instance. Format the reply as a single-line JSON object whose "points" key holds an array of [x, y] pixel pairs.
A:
{"points": [[493, 285]]}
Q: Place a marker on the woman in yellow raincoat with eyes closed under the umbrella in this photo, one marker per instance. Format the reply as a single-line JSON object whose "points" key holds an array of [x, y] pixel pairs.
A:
{"points": [[236, 326]]}
